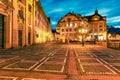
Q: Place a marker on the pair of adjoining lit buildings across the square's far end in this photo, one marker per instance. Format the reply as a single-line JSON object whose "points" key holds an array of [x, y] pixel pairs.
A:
{"points": [[67, 27]]}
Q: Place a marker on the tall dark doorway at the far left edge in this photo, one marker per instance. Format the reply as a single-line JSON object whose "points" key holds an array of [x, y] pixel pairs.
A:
{"points": [[1, 31]]}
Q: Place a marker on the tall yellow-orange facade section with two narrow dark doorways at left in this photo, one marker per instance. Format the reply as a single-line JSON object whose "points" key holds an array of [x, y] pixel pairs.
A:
{"points": [[22, 18]]}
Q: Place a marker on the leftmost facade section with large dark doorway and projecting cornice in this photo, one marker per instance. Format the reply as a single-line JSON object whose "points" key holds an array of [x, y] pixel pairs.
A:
{"points": [[6, 23]]}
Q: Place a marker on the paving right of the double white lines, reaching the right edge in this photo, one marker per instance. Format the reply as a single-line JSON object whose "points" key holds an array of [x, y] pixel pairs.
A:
{"points": [[108, 56]]}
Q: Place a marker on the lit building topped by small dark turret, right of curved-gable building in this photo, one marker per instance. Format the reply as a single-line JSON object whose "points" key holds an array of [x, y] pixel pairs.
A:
{"points": [[97, 26]]}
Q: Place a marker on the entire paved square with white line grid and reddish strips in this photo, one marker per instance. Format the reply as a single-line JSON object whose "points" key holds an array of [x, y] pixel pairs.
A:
{"points": [[60, 62]]}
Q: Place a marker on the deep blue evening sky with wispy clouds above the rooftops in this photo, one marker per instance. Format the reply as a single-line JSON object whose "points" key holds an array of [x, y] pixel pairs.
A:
{"points": [[55, 9]]}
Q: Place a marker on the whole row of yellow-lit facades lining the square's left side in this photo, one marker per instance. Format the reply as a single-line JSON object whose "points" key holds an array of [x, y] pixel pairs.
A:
{"points": [[20, 21]]}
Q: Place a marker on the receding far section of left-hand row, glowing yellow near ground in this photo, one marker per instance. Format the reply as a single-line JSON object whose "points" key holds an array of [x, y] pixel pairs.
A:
{"points": [[42, 29]]}
